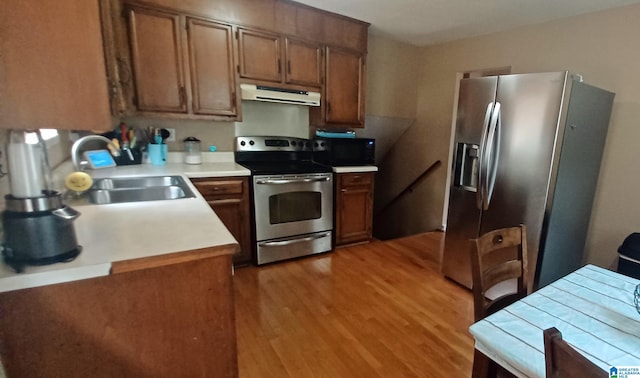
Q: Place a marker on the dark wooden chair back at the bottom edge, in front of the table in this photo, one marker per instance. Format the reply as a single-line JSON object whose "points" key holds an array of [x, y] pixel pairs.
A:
{"points": [[562, 361]]}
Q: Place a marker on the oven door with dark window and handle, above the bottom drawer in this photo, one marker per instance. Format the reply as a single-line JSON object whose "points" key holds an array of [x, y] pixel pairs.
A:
{"points": [[289, 205]]}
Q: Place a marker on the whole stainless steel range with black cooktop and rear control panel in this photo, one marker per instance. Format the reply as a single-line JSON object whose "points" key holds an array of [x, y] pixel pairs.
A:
{"points": [[292, 197]]}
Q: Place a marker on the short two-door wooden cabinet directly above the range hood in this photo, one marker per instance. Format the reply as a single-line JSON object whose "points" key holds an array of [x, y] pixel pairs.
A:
{"points": [[261, 58]]}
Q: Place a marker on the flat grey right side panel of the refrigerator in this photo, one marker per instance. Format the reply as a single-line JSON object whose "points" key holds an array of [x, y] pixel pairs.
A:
{"points": [[587, 123]]}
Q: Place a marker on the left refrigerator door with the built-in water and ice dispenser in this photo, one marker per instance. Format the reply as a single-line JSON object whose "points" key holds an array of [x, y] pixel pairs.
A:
{"points": [[476, 97]]}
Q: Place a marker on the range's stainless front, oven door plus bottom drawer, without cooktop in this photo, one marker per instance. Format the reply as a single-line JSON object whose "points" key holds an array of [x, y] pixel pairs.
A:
{"points": [[294, 215]]}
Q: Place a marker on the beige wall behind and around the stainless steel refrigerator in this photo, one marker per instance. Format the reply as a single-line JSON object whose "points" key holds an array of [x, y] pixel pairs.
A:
{"points": [[602, 47]]}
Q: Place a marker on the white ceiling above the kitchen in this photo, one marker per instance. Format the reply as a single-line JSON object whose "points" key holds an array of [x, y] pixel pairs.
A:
{"points": [[427, 22]]}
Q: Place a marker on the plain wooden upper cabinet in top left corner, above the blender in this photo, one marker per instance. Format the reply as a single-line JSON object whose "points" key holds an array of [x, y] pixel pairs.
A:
{"points": [[52, 66]]}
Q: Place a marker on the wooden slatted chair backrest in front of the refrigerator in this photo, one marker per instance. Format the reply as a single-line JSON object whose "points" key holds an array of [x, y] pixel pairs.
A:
{"points": [[498, 256]]}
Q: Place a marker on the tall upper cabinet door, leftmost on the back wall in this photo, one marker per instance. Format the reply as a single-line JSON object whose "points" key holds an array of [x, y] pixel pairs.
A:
{"points": [[157, 60]]}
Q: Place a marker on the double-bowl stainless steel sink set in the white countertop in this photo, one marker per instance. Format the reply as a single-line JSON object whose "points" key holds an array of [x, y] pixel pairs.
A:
{"points": [[135, 189]]}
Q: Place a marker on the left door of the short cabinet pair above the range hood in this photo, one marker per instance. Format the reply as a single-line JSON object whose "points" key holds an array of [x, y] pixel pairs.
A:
{"points": [[259, 55]]}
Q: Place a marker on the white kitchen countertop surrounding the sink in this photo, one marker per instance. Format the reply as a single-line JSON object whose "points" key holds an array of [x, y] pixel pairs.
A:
{"points": [[127, 231]]}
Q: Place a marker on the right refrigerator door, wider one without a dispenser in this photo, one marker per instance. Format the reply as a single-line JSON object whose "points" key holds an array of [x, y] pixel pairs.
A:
{"points": [[530, 106]]}
